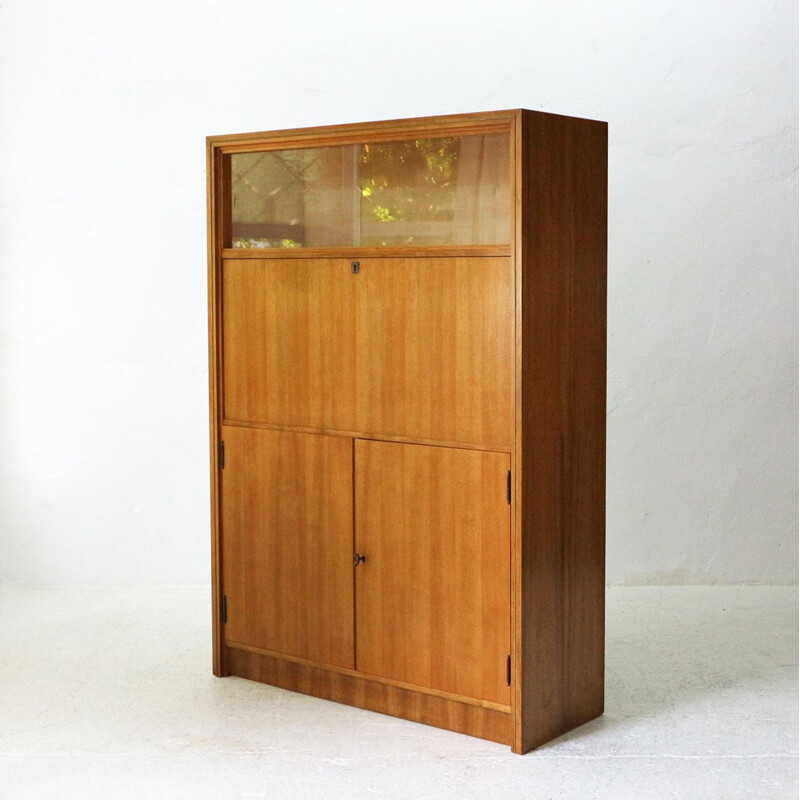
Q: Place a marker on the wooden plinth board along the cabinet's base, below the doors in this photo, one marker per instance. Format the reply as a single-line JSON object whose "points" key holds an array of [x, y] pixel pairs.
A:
{"points": [[440, 712]]}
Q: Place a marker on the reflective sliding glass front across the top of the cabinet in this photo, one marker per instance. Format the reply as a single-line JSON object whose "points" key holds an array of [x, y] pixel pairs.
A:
{"points": [[443, 191]]}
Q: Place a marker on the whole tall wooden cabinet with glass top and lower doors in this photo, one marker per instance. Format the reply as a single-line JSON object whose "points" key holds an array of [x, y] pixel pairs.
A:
{"points": [[407, 368]]}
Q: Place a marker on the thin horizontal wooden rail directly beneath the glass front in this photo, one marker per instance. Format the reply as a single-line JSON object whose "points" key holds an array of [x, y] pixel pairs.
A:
{"points": [[350, 253]]}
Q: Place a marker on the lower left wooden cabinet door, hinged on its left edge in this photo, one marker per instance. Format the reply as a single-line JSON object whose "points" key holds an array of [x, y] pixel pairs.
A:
{"points": [[287, 543]]}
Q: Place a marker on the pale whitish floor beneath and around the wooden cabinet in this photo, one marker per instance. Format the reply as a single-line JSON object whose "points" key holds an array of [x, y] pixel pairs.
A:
{"points": [[108, 693]]}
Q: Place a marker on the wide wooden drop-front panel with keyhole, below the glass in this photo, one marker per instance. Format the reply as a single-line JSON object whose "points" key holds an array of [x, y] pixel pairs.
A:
{"points": [[411, 348]]}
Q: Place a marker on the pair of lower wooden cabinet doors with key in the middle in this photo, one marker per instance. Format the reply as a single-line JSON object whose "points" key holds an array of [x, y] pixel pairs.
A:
{"points": [[428, 606]]}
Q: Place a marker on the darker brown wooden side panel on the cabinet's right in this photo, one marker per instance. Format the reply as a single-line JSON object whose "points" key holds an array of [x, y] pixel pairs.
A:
{"points": [[562, 223]]}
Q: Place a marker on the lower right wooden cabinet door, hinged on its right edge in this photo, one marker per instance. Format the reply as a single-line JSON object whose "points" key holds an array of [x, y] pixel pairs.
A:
{"points": [[433, 595]]}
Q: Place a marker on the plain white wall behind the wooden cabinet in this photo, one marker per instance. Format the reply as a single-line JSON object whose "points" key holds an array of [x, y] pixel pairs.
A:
{"points": [[103, 111]]}
